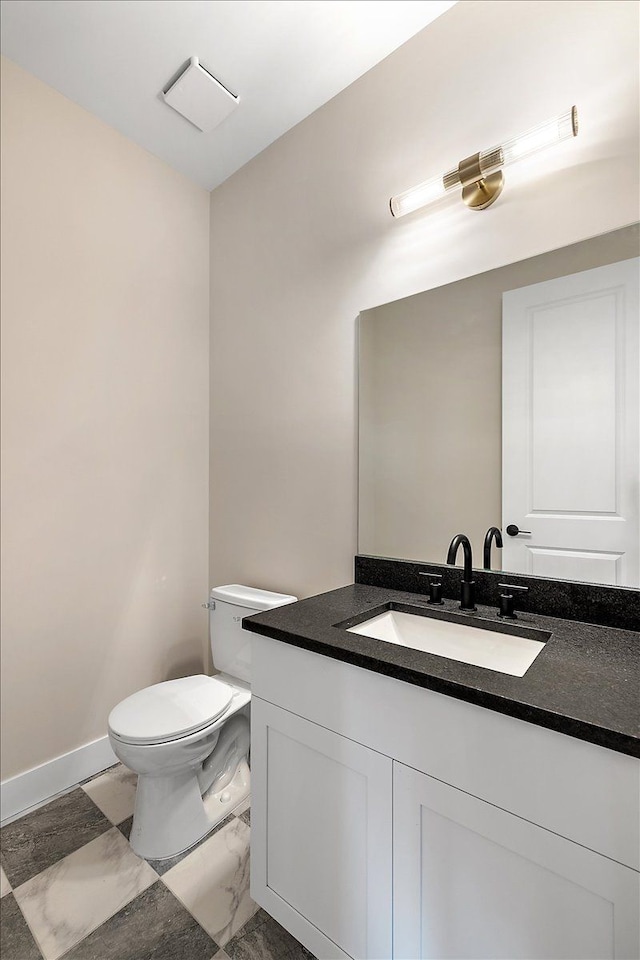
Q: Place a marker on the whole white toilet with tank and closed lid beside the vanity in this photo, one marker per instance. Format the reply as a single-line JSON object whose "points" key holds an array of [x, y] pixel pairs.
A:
{"points": [[189, 739]]}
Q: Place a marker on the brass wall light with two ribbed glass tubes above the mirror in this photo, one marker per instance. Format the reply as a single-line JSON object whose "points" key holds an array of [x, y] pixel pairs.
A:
{"points": [[480, 175]]}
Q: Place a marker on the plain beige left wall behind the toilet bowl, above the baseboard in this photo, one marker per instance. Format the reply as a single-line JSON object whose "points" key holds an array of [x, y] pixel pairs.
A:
{"points": [[105, 424]]}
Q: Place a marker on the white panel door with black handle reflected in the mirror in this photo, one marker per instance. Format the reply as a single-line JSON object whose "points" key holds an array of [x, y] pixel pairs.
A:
{"points": [[571, 425]]}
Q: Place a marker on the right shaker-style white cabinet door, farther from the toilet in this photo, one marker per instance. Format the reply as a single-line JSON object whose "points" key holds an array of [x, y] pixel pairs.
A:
{"points": [[473, 881]]}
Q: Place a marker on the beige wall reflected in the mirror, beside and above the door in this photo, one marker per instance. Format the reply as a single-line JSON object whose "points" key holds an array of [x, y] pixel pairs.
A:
{"points": [[430, 405]]}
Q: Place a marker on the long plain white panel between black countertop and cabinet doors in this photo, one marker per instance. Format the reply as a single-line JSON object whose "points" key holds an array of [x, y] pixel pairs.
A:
{"points": [[581, 791]]}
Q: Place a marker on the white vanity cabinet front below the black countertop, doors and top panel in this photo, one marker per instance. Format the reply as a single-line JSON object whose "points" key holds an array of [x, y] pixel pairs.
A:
{"points": [[390, 822]]}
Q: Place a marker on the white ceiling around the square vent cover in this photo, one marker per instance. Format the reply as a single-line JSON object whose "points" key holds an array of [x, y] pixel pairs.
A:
{"points": [[284, 58]]}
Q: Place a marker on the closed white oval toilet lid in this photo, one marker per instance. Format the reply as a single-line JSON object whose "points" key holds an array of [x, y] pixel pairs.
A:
{"points": [[169, 710]]}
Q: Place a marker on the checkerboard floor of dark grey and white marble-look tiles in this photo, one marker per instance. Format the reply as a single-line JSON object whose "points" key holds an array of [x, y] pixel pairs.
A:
{"points": [[71, 887]]}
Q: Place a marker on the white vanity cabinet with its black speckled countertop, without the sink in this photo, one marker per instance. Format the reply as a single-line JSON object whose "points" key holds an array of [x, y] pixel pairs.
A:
{"points": [[408, 805]]}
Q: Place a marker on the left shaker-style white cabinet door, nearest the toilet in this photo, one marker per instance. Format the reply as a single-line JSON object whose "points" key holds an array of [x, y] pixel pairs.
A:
{"points": [[321, 825]]}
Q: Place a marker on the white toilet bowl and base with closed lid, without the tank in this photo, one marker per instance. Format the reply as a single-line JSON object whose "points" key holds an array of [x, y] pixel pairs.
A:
{"points": [[175, 769]]}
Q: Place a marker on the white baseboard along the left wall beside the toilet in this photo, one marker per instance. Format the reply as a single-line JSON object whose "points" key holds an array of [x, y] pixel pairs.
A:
{"points": [[33, 787]]}
